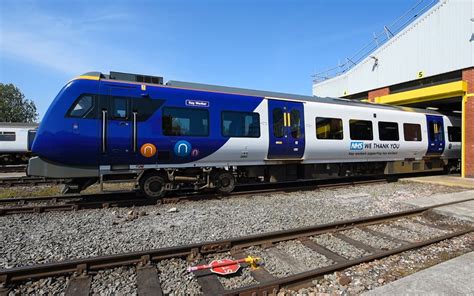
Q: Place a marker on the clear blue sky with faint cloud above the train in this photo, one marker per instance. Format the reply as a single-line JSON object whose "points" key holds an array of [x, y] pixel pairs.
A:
{"points": [[274, 45]]}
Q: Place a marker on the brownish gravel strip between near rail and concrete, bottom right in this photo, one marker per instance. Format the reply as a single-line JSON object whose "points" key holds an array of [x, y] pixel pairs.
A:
{"points": [[367, 276]]}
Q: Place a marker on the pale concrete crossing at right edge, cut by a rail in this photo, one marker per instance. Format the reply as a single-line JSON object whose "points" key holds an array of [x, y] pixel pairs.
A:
{"points": [[464, 211]]}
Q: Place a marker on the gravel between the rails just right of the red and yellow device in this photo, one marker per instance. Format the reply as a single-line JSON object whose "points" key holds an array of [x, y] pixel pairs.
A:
{"points": [[288, 258]]}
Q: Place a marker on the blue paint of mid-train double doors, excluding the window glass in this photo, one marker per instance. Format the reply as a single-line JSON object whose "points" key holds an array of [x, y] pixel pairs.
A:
{"points": [[286, 146]]}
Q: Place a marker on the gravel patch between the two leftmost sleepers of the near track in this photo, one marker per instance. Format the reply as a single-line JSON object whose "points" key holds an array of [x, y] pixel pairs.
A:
{"points": [[117, 281]]}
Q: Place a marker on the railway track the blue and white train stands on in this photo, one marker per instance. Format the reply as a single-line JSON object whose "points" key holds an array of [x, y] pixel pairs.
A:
{"points": [[11, 206]]}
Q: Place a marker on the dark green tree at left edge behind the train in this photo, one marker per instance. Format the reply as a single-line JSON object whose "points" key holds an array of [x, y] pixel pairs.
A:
{"points": [[14, 107]]}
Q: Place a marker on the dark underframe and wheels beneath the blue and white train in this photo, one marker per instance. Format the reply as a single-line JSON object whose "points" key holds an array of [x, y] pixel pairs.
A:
{"points": [[154, 183]]}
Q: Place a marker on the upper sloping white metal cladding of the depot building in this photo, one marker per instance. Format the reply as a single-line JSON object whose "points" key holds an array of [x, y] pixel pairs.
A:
{"points": [[440, 41]]}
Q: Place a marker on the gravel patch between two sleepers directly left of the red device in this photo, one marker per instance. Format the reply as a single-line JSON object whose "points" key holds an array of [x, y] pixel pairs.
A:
{"points": [[175, 279]]}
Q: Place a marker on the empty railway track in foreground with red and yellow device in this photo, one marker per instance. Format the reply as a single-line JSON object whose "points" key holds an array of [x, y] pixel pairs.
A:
{"points": [[265, 280]]}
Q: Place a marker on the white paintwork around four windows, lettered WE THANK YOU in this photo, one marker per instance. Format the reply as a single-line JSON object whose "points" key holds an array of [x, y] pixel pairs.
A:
{"points": [[321, 150]]}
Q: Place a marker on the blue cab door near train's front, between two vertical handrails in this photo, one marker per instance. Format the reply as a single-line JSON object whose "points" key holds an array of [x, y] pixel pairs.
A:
{"points": [[118, 127]]}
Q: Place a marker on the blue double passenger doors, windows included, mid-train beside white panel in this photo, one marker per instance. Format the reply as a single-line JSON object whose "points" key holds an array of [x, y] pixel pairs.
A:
{"points": [[286, 128]]}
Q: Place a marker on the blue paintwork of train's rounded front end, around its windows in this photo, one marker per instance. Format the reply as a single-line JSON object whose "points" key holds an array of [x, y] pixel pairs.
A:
{"points": [[75, 141]]}
